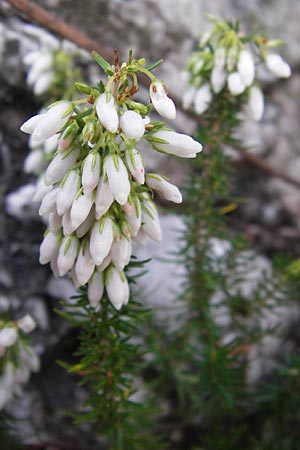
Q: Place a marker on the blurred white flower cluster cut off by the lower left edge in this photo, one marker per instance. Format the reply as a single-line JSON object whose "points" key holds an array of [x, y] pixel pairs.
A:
{"points": [[17, 358]]}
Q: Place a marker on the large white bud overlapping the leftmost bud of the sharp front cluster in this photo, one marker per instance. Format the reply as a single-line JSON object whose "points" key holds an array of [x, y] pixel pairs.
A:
{"points": [[53, 121]]}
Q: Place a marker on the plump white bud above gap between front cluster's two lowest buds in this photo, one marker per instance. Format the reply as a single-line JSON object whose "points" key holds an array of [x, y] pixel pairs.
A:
{"points": [[101, 239]]}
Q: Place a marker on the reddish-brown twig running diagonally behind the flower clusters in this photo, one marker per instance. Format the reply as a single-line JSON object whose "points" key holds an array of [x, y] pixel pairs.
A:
{"points": [[52, 23]]}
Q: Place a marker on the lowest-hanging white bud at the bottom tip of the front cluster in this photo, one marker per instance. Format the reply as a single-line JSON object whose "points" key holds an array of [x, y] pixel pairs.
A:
{"points": [[117, 288]]}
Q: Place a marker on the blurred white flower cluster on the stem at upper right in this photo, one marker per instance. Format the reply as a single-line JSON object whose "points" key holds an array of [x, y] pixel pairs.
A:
{"points": [[227, 60]]}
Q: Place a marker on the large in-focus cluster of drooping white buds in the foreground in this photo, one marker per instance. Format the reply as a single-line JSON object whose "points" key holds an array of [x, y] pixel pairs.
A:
{"points": [[95, 192]]}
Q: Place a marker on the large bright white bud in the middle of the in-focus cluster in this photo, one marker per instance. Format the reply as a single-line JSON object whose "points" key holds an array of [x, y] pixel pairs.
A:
{"points": [[117, 178]]}
